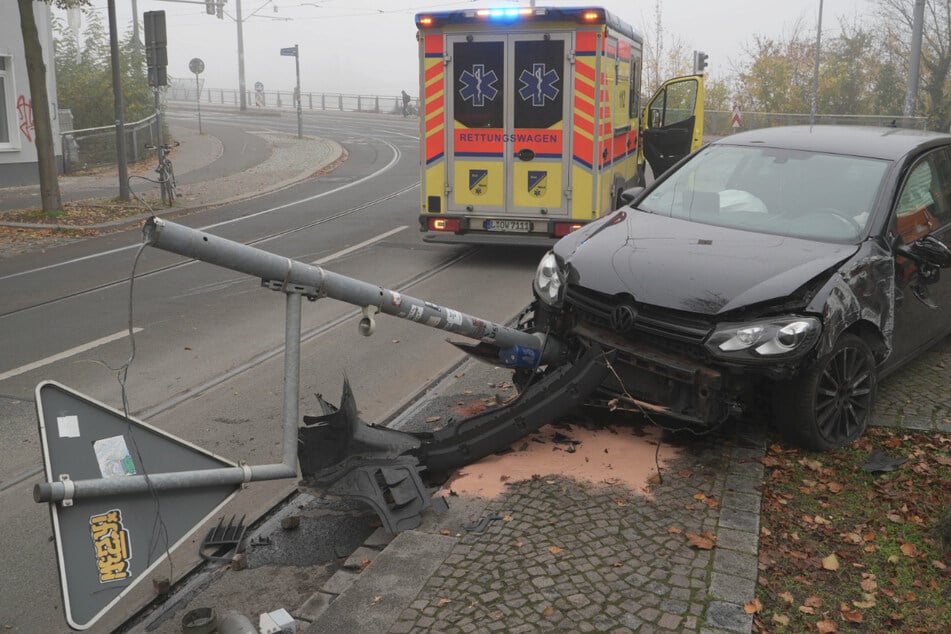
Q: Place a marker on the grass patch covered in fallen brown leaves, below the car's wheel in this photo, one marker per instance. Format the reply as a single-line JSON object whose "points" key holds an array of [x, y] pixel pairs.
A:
{"points": [[822, 514]]}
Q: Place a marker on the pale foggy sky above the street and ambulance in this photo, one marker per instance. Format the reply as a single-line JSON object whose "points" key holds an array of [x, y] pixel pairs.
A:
{"points": [[369, 46]]}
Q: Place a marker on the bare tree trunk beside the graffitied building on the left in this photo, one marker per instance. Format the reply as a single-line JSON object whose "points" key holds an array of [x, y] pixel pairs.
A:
{"points": [[36, 74]]}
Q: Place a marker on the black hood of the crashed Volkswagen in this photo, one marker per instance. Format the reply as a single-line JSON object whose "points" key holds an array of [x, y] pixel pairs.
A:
{"points": [[683, 265]]}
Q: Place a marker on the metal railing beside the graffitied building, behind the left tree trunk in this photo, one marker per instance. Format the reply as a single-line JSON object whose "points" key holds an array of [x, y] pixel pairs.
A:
{"points": [[96, 147]]}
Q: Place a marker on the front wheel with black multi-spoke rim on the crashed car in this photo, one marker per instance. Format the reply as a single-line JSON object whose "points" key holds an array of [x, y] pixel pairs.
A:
{"points": [[830, 405]]}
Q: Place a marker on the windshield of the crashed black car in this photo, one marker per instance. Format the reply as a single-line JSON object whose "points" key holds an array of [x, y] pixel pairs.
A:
{"points": [[810, 195]]}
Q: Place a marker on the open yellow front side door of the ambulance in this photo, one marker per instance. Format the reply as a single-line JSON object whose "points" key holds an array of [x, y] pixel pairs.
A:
{"points": [[672, 123]]}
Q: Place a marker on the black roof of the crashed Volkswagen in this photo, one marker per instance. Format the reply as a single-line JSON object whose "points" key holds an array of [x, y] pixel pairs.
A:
{"points": [[872, 142]]}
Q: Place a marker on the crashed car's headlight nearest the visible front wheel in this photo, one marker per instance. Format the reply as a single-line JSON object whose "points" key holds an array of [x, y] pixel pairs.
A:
{"points": [[768, 338]]}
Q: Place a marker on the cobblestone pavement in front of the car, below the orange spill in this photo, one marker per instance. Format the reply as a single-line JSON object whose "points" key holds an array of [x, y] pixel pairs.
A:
{"points": [[570, 556]]}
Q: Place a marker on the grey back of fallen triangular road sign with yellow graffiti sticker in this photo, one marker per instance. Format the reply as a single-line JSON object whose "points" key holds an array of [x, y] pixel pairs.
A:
{"points": [[105, 546]]}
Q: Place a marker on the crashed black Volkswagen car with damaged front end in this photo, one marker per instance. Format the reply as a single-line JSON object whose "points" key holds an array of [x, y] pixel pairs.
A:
{"points": [[777, 273]]}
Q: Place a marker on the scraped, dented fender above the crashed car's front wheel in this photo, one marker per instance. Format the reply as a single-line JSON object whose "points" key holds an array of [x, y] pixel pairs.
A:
{"points": [[863, 290]]}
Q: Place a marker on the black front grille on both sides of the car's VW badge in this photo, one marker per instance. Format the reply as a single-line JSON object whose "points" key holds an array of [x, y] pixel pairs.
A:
{"points": [[660, 324]]}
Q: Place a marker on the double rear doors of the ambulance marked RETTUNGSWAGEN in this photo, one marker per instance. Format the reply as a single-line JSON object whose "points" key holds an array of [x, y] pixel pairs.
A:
{"points": [[508, 154]]}
